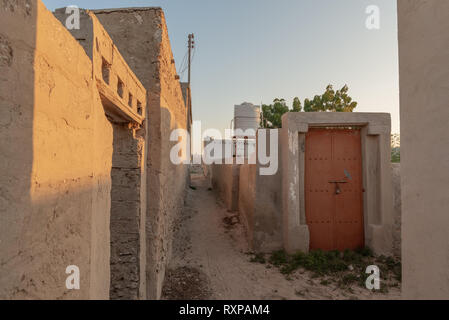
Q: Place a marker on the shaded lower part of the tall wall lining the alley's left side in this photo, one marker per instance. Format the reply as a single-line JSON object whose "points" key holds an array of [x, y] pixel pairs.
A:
{"points": [[168, 182]]}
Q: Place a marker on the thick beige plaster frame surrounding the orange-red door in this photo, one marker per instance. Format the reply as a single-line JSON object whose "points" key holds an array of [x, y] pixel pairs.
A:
{"points": [[376, 173]]}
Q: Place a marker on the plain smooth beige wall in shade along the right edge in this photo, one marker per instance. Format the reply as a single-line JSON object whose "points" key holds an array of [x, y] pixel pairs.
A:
{"points": [[424, 74]]}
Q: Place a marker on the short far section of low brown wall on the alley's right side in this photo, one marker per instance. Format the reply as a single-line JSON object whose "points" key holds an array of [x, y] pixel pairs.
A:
{"points": [[225, 181]]}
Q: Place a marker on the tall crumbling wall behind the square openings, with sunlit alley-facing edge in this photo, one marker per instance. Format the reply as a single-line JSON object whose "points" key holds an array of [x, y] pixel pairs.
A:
{"points": [[142, 38]]}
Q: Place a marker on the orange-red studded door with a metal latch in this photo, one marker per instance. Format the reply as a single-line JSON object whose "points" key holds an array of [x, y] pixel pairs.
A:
{"points": [[334, 189]]}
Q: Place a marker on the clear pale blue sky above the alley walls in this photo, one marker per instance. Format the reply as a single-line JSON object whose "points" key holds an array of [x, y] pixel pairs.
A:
{"points": [[258, 50]]}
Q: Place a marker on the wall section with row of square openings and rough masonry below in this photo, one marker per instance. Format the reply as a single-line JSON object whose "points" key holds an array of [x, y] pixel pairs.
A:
{"points": [[124, 101]]}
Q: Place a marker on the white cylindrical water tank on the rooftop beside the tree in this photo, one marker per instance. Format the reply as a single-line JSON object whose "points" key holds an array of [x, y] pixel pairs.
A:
{"points": [[246, 116]]}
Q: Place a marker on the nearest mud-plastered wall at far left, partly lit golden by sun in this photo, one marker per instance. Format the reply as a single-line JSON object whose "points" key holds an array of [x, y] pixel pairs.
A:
{"points": [[56, 157]]}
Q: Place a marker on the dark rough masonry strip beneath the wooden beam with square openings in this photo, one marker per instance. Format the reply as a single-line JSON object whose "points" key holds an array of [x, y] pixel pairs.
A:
{"points": [[126, 213]]}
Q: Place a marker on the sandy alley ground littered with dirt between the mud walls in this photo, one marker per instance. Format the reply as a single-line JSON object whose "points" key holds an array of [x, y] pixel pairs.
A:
{"points": [[210, 261]]}
